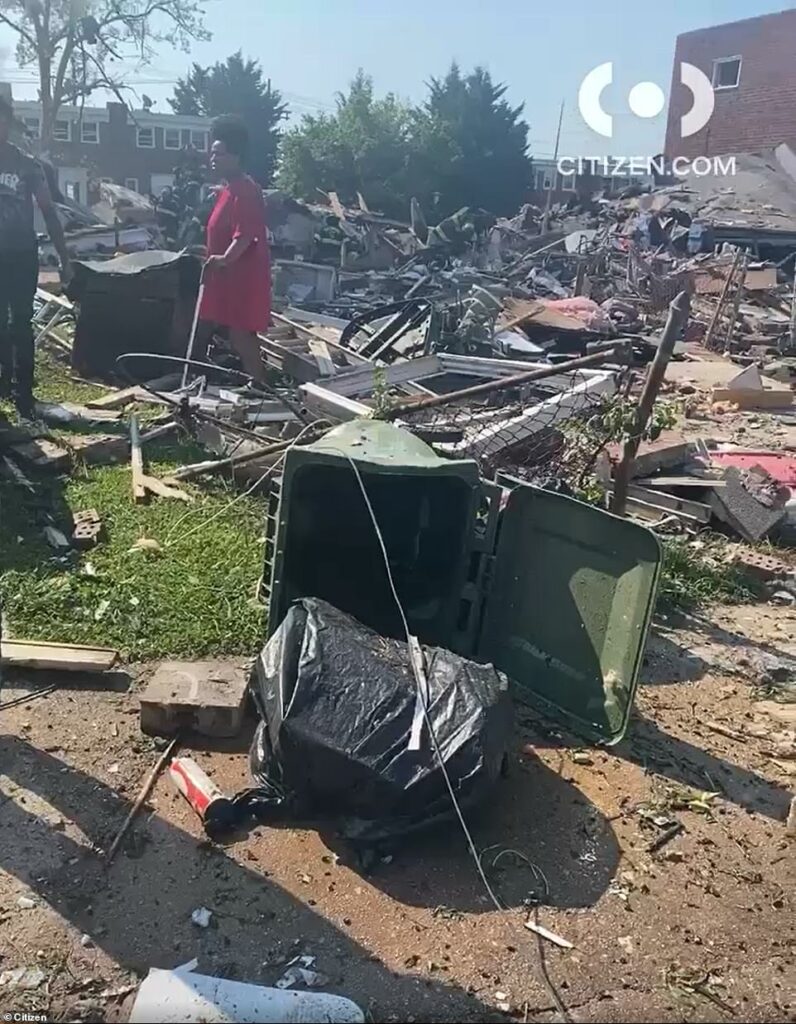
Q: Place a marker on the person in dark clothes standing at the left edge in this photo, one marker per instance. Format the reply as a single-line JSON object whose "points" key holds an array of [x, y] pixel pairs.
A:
{"points": [[22, 182]]}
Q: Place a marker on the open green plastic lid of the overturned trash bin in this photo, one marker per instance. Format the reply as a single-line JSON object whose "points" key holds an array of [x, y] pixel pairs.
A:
{"points": [[569, 609]]}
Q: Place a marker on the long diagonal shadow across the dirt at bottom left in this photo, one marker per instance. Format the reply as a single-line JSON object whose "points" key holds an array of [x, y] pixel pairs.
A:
{"points": [[139, 910]]}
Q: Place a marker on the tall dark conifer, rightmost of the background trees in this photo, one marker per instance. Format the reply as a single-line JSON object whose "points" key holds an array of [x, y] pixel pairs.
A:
{"points": [[472, 146]]}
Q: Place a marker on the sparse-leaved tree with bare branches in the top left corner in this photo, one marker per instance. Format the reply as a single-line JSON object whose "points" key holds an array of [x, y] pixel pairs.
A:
{"points": [[77, 46]]}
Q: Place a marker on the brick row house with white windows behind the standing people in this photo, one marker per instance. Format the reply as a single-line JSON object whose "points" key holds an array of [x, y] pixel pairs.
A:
{"points": [[137, 149]]}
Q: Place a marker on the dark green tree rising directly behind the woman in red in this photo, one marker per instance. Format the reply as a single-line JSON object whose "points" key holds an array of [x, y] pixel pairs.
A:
{"points": [[237, 87]]}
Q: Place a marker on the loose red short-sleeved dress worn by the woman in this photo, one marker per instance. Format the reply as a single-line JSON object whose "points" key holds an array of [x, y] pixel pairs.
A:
{"points": [[239, 296]]}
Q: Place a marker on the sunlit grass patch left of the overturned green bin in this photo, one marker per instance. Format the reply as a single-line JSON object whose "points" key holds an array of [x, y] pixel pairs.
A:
{"points": [[194, 598]]}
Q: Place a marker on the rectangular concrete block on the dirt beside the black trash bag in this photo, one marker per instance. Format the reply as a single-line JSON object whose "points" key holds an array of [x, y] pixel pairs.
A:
{"points": [[208, 698]]}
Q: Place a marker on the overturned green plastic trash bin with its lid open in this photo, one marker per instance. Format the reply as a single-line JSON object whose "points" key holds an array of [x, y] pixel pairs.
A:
{"points": [[556, 593]]}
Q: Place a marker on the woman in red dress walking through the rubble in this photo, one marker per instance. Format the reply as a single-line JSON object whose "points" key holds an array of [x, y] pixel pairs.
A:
{"points": [[237, 275]]}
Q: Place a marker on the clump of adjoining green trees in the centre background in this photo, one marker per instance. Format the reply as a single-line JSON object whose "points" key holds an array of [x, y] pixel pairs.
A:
{"points": [[465, 147]]}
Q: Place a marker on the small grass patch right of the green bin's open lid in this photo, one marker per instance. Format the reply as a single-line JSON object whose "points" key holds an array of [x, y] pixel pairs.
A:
{"points": [[695, 575]]}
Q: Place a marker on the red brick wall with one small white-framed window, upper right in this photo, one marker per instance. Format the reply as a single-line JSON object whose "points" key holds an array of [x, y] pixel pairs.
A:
{"points": [[757, 113]]}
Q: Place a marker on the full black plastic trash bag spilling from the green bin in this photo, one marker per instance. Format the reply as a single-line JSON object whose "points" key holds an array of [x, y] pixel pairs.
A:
{"points": [[338, 703]]}
